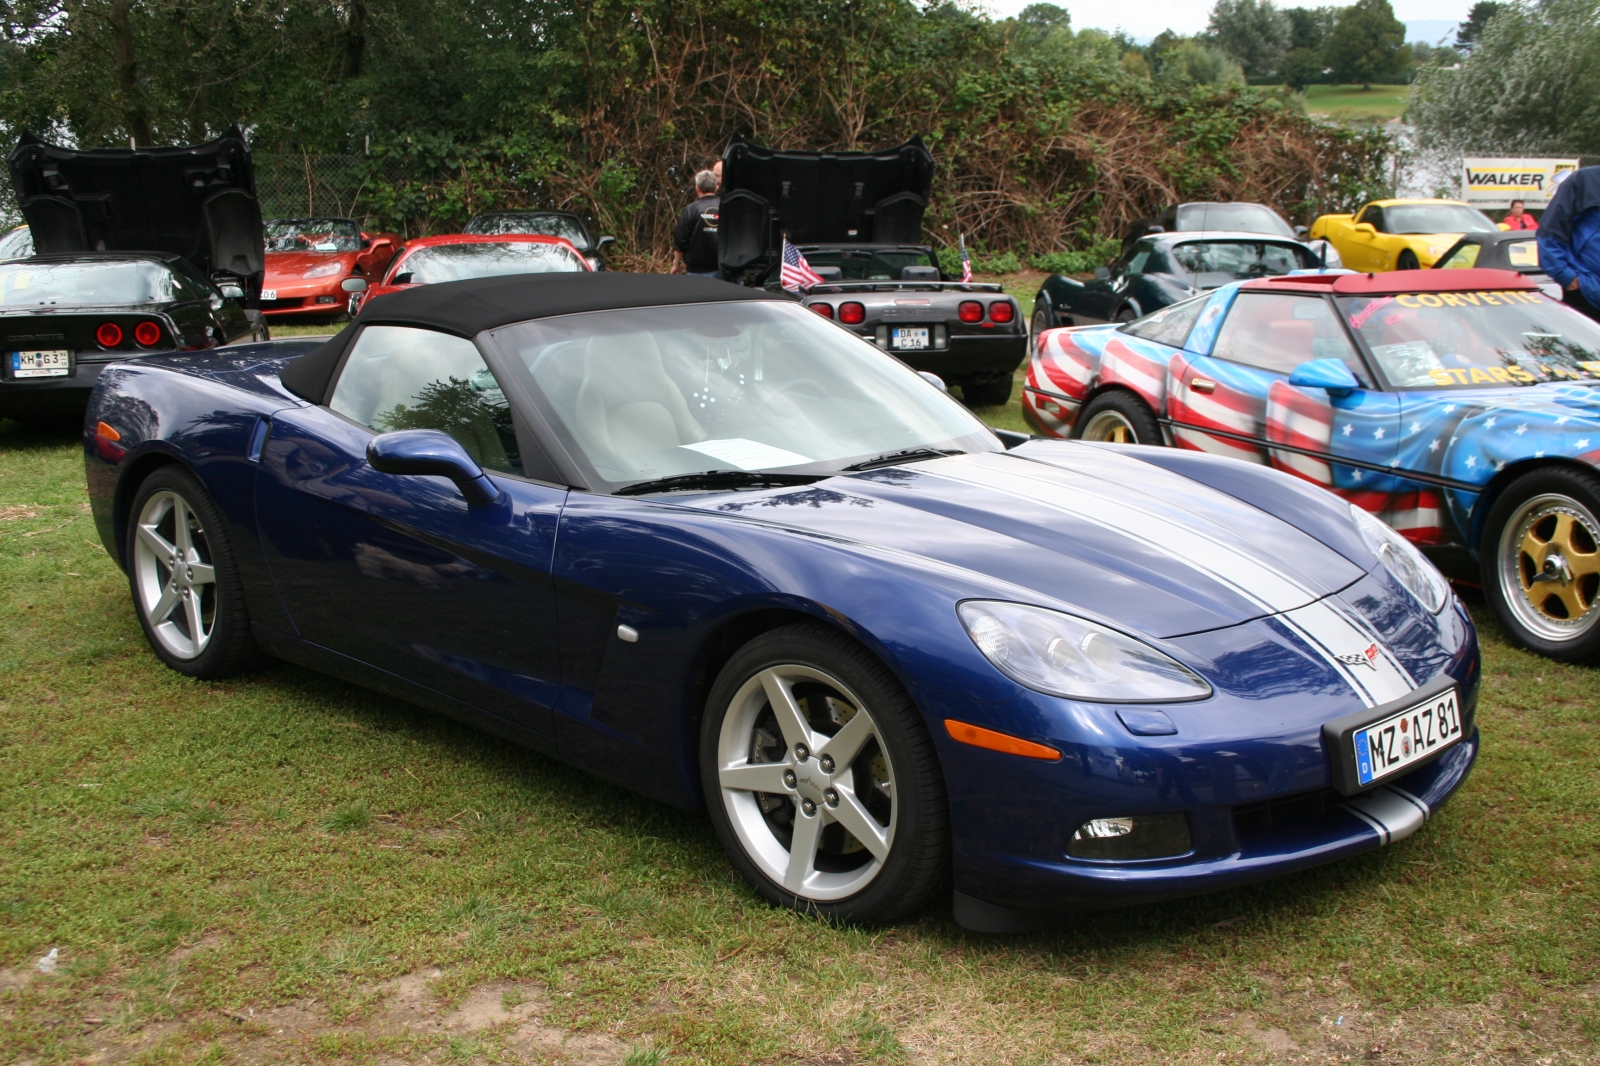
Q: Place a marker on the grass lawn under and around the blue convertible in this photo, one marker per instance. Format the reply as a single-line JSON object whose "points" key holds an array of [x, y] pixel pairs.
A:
{"points": [[289, 870]]}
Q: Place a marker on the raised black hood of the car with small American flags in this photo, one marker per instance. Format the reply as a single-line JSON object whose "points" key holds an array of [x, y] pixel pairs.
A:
{"points": [[818, 199]]}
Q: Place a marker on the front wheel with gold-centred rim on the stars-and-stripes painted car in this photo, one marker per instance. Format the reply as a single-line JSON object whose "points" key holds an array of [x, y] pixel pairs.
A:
{"points": [[1540, 561]]}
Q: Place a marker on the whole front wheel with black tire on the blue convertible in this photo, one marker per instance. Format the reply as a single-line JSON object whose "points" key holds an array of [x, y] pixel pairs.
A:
{"points": [[838, 679]]}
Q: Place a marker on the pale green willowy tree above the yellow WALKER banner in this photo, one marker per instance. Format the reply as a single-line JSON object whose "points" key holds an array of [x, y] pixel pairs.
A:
{"points": [[1530, 86]]}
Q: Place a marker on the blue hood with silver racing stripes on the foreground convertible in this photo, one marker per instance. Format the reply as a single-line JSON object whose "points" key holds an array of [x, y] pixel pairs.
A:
{"points": [[1084, 529]]}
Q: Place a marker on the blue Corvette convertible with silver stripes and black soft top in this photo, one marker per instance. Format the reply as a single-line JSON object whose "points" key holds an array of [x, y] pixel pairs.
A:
{"points": [[711, 547]]}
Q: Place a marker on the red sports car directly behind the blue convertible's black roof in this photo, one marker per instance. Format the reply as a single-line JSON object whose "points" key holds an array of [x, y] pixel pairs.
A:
{"points": [[458, 257]]}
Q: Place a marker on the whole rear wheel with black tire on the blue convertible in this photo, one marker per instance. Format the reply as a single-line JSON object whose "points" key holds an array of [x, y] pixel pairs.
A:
{"points": [[226, 647]]}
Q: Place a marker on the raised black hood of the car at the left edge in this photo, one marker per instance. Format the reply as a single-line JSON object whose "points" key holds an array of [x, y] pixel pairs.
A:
{"points": [[194, 202]]}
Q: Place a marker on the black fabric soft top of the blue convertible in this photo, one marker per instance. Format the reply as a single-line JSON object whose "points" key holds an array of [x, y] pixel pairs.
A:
{"points": [[487, 303]]}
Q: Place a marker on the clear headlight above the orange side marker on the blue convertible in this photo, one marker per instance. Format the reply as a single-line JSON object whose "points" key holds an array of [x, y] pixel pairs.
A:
{"points": [[1062, 655]]}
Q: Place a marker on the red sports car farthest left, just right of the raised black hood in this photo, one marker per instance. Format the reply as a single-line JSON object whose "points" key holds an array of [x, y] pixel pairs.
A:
{"points": [[310, 258]]}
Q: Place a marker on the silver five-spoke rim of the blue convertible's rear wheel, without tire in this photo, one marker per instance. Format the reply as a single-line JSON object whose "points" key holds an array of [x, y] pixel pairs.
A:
{"points": [[174, 575]]}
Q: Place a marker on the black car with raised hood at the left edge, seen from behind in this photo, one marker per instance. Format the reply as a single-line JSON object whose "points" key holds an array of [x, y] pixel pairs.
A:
{"points": [[137, 254]]}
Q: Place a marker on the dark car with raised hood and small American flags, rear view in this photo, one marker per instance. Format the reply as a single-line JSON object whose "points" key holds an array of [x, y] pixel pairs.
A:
{"points": [[857, 218]]}
